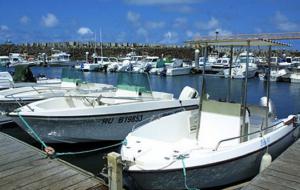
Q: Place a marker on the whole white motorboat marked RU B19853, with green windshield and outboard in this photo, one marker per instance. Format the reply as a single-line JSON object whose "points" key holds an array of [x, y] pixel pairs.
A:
{"points": [[108, 116]]}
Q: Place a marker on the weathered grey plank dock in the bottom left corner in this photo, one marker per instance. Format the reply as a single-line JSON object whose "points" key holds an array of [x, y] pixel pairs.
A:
{"points": [[25, 167]]}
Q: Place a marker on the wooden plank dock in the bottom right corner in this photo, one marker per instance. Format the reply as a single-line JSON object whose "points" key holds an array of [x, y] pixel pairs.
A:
{"points": [[283, 173]]}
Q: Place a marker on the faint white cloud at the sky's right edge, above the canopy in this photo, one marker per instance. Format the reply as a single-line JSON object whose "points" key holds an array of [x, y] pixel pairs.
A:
{"points": [[283, 23]]}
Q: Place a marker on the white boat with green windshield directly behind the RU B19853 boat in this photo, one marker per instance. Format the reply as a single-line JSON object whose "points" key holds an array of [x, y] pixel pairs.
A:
{"points": [[71, 84]]}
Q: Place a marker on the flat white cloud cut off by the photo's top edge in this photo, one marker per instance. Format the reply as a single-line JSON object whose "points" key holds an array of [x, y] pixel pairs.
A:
{"points": [[159, 2]]}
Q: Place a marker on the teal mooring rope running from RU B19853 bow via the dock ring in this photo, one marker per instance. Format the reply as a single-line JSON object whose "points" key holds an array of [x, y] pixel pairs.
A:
{"points": [[51, 152]]}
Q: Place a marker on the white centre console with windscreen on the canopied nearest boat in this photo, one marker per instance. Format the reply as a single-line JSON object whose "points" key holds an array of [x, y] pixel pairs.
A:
{"points": [[219, 121]]}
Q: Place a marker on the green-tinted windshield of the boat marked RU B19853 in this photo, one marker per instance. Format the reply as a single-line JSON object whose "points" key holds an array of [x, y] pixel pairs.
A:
{"points": [[137, 82]]}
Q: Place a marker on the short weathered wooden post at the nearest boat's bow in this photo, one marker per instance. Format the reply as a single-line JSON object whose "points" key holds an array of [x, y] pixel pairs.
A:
{"points": [[115, 177]]}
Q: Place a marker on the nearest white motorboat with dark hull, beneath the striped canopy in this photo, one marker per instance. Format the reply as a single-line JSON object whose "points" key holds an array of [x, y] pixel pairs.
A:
{"points": [[157, 153]]}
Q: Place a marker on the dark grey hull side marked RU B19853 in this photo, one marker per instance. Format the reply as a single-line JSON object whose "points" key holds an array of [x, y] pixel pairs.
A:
{"points": [[90, 128]]}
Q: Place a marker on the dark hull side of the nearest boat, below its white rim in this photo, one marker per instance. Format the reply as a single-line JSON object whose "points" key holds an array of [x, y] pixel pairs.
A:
{"points": [[208, 176]]}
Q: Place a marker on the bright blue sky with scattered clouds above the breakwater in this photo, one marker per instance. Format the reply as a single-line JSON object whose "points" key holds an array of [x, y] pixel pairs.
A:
{"points": [[142, 21]]}
